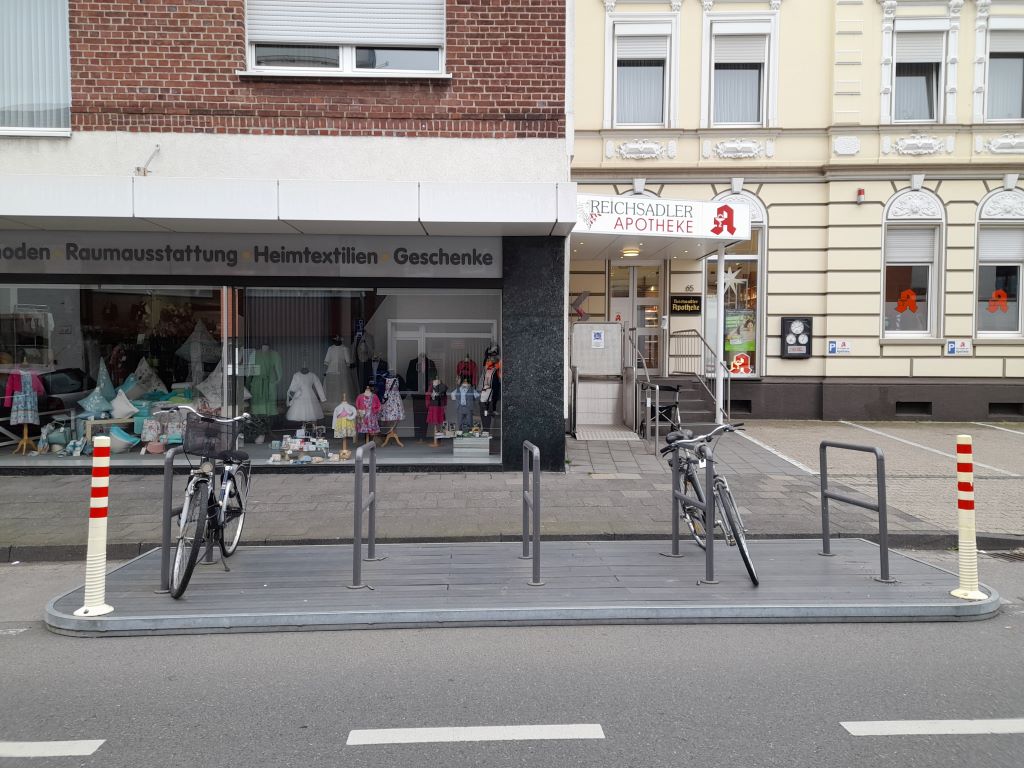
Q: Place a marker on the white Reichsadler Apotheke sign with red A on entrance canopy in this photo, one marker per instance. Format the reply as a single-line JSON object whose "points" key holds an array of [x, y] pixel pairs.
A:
{"points": [[660, 218]]}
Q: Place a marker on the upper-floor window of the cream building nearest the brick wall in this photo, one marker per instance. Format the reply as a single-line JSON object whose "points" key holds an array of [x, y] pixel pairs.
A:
{"points": [[642, 74]]}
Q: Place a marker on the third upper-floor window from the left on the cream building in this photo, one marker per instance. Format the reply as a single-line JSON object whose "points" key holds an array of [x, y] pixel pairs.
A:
{"points": [[919, 58]]}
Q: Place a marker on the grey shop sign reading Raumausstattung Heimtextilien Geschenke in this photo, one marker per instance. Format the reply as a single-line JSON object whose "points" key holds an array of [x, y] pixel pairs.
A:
{"points": [[247, 255]]}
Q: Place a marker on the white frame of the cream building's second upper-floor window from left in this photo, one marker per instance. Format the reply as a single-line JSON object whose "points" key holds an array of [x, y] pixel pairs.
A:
{"points": [[749, 24]]}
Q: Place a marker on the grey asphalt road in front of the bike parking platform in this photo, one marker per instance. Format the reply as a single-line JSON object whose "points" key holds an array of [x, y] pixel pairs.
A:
{"points": [[664, 696]]}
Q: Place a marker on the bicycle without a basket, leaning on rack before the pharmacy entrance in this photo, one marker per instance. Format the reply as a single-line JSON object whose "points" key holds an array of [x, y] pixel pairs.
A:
{"points": [[694, 454]]}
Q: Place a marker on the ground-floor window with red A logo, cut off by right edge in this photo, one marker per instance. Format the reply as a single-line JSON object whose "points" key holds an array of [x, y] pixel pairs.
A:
{"points": [[1001, 257]]}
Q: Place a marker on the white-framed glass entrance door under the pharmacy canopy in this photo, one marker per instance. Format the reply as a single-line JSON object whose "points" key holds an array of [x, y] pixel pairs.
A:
{"points": [[635, 298]]}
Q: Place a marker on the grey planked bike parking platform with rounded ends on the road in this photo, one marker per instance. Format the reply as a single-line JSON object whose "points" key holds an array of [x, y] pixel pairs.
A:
{"points": [[287, 588]]}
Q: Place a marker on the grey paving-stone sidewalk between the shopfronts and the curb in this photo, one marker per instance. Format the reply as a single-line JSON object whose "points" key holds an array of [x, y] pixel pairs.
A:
{"points": [[610, 491]]}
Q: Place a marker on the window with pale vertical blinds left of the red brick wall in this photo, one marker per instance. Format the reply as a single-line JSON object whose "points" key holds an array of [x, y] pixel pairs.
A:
{"points": [[35, 86]]}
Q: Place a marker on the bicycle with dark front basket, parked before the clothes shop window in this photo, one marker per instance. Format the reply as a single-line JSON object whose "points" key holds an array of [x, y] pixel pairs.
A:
{"points": [[209, 515]]}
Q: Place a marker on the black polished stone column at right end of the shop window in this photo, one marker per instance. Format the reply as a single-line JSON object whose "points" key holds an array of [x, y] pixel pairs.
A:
{"points": [[533, 352]]}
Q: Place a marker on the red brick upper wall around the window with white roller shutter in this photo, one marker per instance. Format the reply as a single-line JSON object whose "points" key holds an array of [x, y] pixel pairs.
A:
{"points": [[156, 66]]}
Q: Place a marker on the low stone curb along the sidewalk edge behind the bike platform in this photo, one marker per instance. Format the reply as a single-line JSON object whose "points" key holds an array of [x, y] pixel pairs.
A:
{"points": [[127, 551]]}
